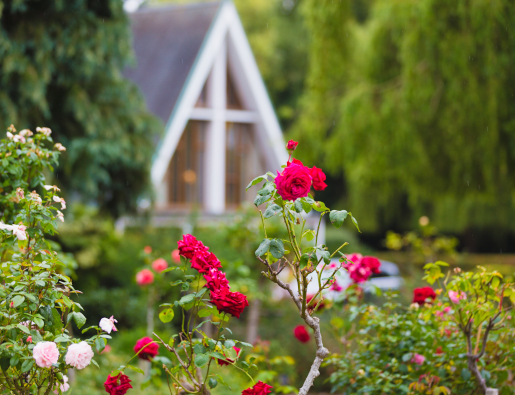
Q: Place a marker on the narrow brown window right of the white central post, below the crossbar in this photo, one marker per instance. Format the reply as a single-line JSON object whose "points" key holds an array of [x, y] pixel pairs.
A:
{"points": [[239, 140]]}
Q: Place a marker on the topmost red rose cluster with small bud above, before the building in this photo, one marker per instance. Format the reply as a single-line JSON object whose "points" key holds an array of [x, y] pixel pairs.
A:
{"points": [[296, 180]]}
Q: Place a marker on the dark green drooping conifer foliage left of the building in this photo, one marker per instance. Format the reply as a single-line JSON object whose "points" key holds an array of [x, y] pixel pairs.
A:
{"points": [[65, 69]]}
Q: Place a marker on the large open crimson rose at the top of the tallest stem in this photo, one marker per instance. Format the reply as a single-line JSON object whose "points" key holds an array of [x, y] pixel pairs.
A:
{"points": [[294, 182]]}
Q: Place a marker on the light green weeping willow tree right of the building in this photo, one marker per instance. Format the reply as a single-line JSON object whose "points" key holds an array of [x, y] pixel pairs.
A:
{"points": [[419, 112]]}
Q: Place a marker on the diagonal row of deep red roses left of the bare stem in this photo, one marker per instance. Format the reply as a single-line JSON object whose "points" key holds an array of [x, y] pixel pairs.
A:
{"points": [[207, 263]]}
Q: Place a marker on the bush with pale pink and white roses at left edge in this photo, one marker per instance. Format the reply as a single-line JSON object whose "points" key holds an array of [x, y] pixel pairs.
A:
{"points": [[36, 311]]}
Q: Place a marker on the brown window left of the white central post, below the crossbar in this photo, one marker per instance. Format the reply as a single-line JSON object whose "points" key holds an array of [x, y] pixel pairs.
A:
{"points": [[186, 170]]}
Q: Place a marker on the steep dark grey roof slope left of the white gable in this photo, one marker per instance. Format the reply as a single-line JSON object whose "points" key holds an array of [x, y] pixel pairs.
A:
{"points": [[166, 42]]}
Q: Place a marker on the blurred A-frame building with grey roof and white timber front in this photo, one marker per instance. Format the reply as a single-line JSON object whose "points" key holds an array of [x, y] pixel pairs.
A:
{"points": [[197, 73]]}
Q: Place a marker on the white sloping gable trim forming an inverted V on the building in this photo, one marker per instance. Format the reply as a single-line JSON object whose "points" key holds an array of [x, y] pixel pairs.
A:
{"points": [[226, 22]]}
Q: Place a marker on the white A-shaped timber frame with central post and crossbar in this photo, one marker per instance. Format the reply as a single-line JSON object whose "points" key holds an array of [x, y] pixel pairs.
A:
{"points": [[225, 46]]}
